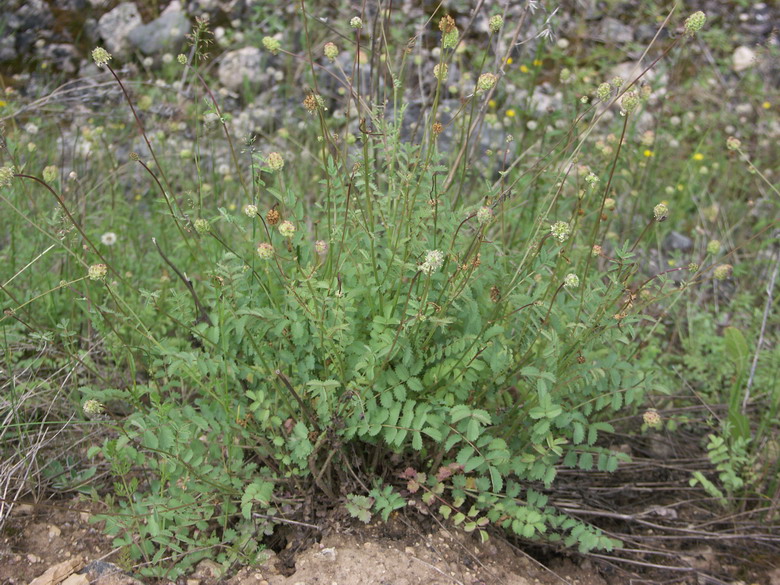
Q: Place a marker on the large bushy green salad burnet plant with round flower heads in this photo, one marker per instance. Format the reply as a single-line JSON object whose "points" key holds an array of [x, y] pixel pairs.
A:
{"points": [[383, 333]]}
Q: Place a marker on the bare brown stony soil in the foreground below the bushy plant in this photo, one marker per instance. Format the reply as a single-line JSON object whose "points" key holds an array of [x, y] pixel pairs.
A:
{"points": [[48, 544]]}
